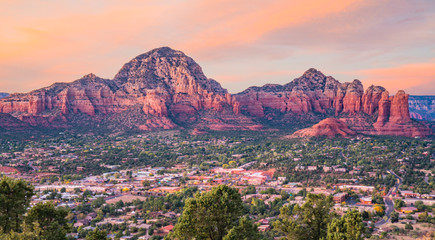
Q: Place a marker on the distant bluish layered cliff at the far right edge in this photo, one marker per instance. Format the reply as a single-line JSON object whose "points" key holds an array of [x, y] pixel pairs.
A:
{"points": [[422, 107]]}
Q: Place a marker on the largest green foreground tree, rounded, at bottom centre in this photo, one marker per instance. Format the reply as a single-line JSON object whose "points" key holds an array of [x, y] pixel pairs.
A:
{"points": [[209, 215]]}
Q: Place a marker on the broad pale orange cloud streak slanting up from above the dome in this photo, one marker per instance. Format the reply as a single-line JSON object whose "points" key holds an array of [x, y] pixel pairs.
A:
{"points": [[247, 27]]}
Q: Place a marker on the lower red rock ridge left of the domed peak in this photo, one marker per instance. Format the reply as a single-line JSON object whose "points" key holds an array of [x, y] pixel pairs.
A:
{"points": [[53, 106]]}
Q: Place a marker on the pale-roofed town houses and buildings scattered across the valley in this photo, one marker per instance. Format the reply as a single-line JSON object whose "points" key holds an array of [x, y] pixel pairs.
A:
{"points": [[128, 185]]}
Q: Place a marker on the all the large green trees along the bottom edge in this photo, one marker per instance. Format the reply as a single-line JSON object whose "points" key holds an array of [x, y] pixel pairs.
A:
{"points": [[217, 215]]}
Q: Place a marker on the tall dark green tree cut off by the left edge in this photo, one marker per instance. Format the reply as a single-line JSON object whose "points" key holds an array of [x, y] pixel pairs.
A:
{"points": [[15, 196]]}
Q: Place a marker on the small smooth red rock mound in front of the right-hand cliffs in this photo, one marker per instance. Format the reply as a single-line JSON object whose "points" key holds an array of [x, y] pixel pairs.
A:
{"points": [[330, 127]]}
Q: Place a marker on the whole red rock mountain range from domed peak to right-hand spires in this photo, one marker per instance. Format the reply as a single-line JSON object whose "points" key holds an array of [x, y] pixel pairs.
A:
{"points": [[165, 89]]}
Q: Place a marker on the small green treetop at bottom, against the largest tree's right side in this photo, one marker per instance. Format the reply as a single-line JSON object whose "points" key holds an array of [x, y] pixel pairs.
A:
{"points": [[246, 230]]}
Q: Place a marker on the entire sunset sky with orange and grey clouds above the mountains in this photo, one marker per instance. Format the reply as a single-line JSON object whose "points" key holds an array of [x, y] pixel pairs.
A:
{"points": [[238, 43]]}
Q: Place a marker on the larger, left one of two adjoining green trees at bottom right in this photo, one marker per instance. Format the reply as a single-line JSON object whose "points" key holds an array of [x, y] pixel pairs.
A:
{"points": [[309, 221]]}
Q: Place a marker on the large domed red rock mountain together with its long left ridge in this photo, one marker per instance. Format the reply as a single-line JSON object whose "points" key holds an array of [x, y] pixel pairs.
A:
{"points": [[169, 88]]}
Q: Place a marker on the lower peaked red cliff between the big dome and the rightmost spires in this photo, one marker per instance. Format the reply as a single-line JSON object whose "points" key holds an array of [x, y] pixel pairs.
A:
{"points": [[312, 92]]}
